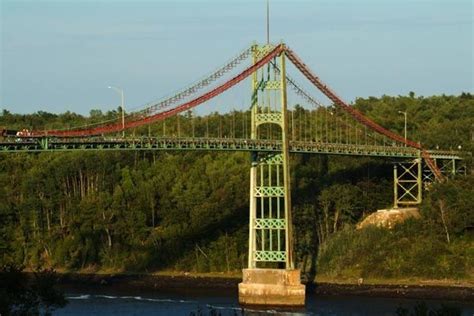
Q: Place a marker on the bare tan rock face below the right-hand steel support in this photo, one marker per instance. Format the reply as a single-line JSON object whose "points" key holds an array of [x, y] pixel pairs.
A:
{"points": [[389, 218]]}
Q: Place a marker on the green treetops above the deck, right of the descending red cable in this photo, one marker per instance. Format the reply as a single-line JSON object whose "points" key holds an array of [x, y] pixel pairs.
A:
{"points": [[438, 121]]}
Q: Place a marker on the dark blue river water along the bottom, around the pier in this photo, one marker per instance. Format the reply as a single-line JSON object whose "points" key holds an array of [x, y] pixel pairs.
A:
{"points": [[224, 302]]}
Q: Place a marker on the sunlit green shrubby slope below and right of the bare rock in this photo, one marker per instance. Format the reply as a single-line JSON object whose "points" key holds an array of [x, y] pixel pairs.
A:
{"points": [[438, 246]]}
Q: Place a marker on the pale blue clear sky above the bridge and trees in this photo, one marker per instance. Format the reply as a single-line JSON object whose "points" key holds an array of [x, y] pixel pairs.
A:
{"points": [[60, 56]]}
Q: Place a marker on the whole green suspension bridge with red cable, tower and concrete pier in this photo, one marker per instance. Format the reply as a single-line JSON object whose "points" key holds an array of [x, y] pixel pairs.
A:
{"points": [[269, 129]]}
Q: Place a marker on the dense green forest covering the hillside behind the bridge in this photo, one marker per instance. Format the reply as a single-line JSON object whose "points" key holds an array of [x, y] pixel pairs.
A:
{"points": [[157, 211]]}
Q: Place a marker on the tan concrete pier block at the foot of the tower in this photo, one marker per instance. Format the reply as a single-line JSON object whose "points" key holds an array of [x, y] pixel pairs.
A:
{"points": [[275, 287]]}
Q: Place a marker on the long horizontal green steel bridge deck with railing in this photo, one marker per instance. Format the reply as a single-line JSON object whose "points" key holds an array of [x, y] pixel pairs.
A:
{"points": [[212, 144]]}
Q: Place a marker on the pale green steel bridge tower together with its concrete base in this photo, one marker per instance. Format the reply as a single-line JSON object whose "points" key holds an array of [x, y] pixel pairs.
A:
{"points": [[271, 277]]}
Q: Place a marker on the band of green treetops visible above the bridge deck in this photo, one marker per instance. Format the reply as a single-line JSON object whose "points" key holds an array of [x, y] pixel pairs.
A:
{"points": [[438, 122]]}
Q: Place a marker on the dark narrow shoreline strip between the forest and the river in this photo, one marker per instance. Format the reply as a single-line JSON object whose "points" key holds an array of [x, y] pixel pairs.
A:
{"points": [[213, 282]]}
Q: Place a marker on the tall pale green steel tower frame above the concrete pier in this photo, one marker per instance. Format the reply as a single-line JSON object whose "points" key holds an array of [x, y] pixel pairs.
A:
{"points": [[270, 225]]}
